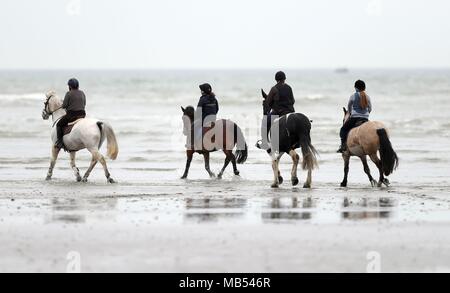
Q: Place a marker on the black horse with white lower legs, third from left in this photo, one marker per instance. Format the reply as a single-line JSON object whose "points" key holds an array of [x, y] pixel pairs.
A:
{"points": [[293, 131]]}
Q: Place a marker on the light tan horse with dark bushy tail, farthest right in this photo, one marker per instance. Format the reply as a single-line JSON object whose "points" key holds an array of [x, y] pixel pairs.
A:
{"points": [[367, 140]]}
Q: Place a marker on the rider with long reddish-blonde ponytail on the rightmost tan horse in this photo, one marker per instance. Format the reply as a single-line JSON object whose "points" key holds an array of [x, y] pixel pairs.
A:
{"points": [[359, 108]]}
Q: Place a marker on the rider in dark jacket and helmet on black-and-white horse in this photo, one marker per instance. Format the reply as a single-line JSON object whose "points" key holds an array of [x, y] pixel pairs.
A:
{"points": [[281, 102]]}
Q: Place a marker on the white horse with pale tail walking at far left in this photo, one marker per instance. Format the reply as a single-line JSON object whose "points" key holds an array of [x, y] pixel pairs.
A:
{"points": [[87, 134]]}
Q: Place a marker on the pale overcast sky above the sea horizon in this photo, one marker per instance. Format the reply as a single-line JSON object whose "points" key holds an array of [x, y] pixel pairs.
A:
{"points": [[197, 34]]}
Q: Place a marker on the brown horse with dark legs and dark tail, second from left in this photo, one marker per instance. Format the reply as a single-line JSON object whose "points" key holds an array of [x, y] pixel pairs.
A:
{"points": [[225, 136]]}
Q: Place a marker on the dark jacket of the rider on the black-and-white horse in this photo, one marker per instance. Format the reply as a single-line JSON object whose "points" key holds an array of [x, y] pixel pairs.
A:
{"points": [[281, 100]]}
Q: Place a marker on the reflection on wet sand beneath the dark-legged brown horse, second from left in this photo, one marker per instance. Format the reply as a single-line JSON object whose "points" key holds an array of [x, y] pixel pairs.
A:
{"points": [[211, 210]]}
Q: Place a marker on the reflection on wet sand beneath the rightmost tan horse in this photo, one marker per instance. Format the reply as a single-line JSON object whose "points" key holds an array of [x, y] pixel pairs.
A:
{"points": [[368, 208]]}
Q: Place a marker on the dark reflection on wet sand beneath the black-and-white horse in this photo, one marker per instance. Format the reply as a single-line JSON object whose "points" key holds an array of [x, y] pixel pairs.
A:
{"points": [[288, 209]]}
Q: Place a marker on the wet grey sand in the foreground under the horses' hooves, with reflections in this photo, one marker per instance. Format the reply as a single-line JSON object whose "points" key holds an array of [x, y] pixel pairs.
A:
{"points": [[234, 225]]}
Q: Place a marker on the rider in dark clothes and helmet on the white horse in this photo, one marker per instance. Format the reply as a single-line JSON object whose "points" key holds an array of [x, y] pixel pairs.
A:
{"points": [[74, 104]]}
